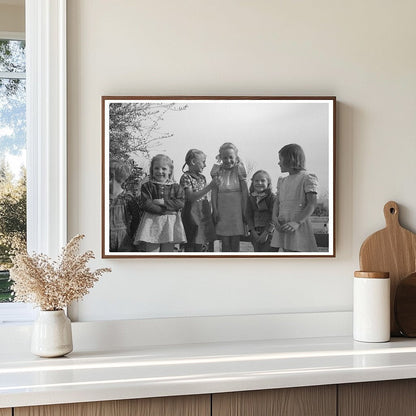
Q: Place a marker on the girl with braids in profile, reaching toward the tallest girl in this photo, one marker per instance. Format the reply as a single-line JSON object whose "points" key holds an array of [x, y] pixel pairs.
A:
{"points": [[197, 215]]}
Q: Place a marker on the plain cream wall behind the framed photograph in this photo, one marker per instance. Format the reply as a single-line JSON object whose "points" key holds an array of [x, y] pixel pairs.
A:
{"points": [[363, 52]]}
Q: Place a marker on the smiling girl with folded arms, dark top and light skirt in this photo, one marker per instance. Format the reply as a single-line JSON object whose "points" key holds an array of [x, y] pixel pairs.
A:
{"points": [[161, 200]]}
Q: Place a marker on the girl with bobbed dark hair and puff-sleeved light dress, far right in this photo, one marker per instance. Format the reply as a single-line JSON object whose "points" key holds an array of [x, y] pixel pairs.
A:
{"points": [[295, 203]]}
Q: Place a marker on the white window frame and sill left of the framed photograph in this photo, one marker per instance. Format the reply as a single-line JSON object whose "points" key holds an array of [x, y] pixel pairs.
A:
{"points": [[46, 121]]}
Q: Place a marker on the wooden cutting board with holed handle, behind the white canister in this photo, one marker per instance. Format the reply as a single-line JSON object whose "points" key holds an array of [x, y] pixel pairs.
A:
{"points": [[393, 250]]}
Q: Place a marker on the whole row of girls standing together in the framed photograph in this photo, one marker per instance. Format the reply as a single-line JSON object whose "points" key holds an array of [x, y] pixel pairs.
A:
{"points": [[194, 213]]}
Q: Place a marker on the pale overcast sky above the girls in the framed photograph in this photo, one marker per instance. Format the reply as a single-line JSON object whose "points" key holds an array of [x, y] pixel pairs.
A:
{"points": [[258, 129]]}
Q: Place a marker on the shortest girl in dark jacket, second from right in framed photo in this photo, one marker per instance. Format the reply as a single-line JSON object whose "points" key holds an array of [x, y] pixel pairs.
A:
{"points": [[259, 211]]}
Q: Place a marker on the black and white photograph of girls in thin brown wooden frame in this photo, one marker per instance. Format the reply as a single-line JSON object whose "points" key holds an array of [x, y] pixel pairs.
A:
{"points": [[218, 176]]}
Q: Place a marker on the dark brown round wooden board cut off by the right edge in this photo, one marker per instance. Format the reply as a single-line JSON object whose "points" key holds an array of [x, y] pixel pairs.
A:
{"points": [[405, 305]]}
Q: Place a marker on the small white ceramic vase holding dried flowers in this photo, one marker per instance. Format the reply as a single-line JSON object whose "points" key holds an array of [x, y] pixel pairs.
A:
{"points": [[52, 334]]}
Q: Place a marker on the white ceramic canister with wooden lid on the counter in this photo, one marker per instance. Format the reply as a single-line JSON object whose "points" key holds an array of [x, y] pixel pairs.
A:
{"points": [[371, 309]]}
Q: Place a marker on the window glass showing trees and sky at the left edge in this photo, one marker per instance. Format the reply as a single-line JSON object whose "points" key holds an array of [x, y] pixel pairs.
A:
{"points": [[12, 156]]}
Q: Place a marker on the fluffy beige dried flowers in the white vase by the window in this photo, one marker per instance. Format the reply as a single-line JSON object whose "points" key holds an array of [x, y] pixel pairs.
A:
{"points": [[53, 285]]}
